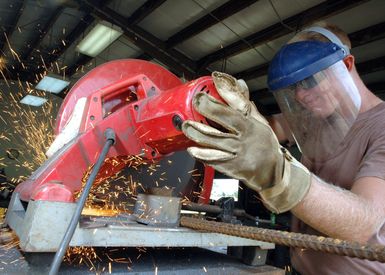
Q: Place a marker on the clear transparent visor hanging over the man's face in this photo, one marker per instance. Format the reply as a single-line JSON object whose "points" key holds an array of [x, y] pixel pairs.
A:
{"points": [[320, 110]]}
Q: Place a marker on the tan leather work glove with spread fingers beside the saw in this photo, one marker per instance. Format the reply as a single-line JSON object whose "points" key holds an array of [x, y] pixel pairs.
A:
{"points": [[249, 151]]}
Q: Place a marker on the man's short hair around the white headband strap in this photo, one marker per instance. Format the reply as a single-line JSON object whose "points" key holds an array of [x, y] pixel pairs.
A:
{"points": [[301, 36]]}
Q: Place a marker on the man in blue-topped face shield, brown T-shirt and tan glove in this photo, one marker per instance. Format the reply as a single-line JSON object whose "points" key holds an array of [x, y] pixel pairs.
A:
{"points": [[337, 123]]}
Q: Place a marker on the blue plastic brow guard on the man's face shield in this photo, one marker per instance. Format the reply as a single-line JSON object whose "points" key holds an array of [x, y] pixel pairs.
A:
{"points": [[299, 60]]}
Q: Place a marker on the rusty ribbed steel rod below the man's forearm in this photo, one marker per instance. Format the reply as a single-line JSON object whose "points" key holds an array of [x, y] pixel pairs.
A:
{"points": [[318, 243]]}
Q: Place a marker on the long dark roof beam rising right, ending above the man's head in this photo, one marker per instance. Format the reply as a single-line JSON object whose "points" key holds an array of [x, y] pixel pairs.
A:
{"points": [[318, 12]]}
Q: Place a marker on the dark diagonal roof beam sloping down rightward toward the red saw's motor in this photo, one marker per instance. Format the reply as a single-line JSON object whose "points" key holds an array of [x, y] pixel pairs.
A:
{"points": [[175, 60]]}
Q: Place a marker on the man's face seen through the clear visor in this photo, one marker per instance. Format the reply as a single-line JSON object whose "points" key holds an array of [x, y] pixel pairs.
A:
{"points": [[318, 97]]}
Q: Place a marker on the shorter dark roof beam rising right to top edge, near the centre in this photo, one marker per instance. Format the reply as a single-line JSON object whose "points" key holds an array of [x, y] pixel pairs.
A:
{"points": [[226, 10]]}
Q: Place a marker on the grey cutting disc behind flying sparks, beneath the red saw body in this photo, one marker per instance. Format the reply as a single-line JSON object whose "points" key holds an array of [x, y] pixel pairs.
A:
{"points": [[177, 175]]}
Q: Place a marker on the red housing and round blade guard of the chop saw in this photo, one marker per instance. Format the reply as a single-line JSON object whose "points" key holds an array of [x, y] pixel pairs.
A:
{"points": [[142, 102]]}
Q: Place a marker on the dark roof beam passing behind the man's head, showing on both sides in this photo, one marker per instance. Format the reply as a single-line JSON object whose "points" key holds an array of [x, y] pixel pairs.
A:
{"points": [[358, 38]]}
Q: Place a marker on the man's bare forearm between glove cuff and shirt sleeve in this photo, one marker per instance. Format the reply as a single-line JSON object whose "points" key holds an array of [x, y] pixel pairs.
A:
{"points": [[338, 213]]}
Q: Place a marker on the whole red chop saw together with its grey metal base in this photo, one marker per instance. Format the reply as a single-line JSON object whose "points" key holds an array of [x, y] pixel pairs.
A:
{"points": [[144, 105]]}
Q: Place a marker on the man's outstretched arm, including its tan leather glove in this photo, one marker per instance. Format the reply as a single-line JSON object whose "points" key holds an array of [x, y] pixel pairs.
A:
{"points": [[249, 151]]}
